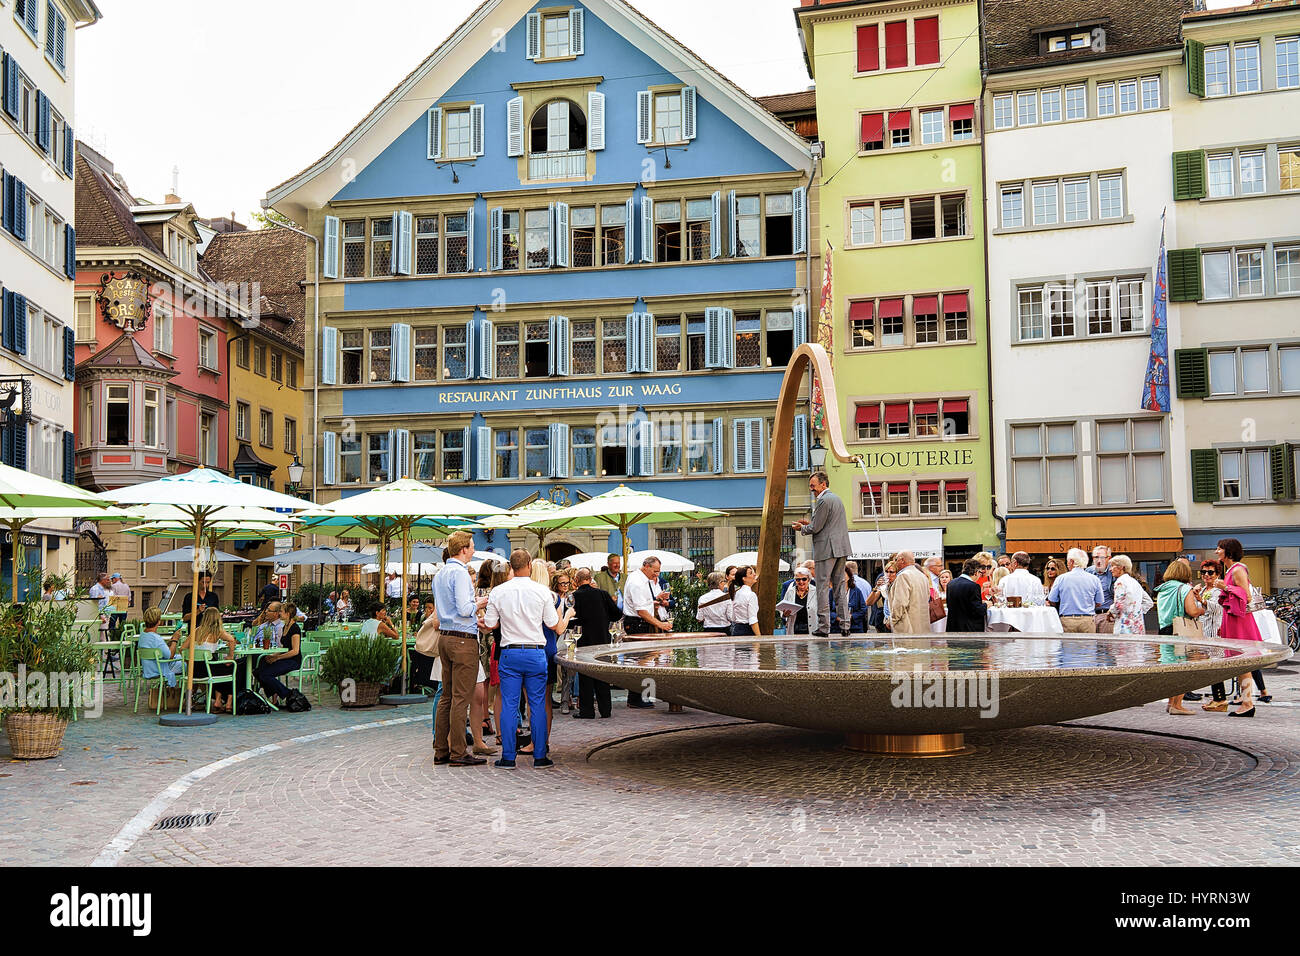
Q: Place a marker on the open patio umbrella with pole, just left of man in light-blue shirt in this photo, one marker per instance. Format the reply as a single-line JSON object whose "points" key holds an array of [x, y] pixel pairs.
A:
{"points": [[396, 509]]}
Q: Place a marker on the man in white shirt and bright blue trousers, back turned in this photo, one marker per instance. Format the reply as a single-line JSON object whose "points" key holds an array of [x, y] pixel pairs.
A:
{"points": [[522, 607]]}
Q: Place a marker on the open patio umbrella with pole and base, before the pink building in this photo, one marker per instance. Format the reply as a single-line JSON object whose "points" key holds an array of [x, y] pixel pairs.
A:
{"points": [[201, 496]]}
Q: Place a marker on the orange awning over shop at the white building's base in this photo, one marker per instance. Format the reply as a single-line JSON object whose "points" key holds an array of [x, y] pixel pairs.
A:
{"points": [[1123, 534]]}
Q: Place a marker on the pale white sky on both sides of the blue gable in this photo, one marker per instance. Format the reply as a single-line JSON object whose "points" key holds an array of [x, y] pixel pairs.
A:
{"points": [[244, 94]]}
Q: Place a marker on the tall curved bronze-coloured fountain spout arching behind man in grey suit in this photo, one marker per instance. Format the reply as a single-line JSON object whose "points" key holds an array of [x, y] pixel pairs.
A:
{"points": [[774, 499]]}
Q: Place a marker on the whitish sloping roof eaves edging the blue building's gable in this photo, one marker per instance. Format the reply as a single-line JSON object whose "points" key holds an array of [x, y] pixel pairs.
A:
{"points": [[476, 37]]}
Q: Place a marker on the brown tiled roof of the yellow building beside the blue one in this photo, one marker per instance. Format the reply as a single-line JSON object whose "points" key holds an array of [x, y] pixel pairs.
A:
{"points": [[276, 259]]}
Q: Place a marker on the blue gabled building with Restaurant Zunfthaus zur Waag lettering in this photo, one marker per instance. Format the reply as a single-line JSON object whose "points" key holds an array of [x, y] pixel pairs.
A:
{"points": [[564, 256]]}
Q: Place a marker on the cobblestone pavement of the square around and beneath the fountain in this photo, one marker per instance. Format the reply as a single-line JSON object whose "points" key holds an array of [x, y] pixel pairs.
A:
{"points": [[651, 788]]}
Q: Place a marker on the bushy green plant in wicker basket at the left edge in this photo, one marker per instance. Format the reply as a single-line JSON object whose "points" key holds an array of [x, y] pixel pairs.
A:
{"points": [[45, 667]]}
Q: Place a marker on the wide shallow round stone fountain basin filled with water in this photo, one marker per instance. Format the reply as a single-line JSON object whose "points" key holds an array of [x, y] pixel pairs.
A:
{"points": [[924, 685]]}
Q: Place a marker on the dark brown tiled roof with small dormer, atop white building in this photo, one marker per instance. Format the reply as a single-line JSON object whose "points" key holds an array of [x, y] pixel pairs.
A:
{"points": [[1130, 28]]}
